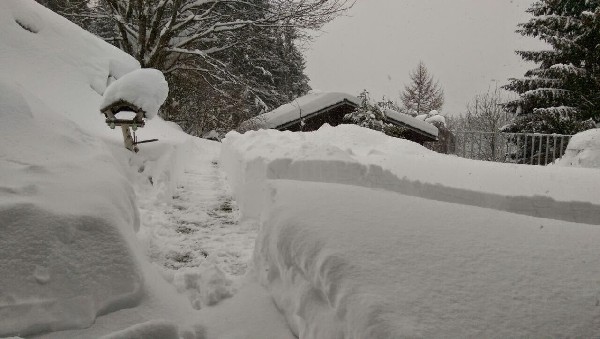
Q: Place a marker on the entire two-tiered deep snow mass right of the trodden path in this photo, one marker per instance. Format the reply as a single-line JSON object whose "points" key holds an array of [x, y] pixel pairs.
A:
{"points": [[442, 258]]}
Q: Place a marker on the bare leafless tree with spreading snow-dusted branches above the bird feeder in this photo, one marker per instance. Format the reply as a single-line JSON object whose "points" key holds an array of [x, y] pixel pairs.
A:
{"points": [[185, 34]]}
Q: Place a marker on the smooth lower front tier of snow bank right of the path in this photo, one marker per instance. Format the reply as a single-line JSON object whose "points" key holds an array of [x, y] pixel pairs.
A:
{"points": [[345, 262]]}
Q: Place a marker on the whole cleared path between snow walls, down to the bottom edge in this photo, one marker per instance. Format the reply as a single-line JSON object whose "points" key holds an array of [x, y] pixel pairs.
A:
{"points": [[195, 239]]}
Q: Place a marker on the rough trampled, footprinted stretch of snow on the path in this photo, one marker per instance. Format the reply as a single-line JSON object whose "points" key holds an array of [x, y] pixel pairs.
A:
{"points": [[193, 236]]}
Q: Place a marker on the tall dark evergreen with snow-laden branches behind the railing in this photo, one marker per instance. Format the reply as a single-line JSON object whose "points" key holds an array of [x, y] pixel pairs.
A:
{"points": [[561, 95]]}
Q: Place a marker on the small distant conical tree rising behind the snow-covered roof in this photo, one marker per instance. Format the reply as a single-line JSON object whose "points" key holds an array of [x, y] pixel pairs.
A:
{"points": [[423, 94]]}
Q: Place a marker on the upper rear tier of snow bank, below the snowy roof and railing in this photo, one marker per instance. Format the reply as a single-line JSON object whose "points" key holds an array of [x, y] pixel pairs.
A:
{"points": [[349, 154]]}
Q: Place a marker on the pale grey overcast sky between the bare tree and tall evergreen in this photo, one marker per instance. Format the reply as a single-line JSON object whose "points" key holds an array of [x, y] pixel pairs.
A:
{"points": [[468, 45]]}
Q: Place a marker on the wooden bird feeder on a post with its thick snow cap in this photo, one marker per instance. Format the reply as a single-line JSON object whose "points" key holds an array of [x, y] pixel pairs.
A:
{"points": [[131, 99]]}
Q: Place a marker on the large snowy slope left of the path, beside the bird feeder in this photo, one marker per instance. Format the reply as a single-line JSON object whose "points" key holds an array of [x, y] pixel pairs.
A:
{"points": [[68, 211]]}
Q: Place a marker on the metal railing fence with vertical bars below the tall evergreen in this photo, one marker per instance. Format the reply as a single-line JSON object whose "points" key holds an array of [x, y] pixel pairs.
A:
{"points": [[521, 148]]}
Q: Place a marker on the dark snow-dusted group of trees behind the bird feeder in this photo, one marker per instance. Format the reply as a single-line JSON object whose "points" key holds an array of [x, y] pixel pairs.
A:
{"points": [[225, 60]]}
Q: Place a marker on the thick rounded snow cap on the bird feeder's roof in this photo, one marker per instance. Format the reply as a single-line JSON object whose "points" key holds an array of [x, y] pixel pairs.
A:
{"points": [[145, 88]]}
